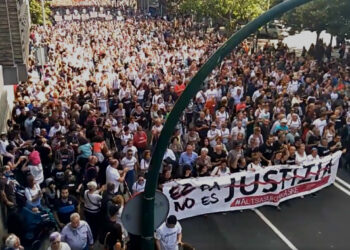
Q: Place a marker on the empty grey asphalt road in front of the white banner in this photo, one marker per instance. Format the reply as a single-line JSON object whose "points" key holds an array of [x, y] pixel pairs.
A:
{"points": [[319, 222]]}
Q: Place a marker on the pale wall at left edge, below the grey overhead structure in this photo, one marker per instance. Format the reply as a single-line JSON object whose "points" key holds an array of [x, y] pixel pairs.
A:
{"points": [[6, 102]]}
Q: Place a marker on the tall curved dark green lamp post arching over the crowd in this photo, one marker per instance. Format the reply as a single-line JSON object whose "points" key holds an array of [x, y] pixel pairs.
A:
{"points": [[192, 88]]}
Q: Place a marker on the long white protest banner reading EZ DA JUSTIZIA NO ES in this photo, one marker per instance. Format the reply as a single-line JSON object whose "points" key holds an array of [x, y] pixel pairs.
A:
{"points": [[246, 190]]}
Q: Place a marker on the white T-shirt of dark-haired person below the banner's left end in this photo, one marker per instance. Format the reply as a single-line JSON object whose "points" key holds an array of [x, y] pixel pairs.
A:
{"points": [[168, 236]]}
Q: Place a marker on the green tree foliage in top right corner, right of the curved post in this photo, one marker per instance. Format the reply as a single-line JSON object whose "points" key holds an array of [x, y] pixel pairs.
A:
{"points": [[318, 15]]}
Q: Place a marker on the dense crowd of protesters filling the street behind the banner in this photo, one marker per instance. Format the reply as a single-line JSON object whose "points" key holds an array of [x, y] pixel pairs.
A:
{"points": [[83, 127]]}
